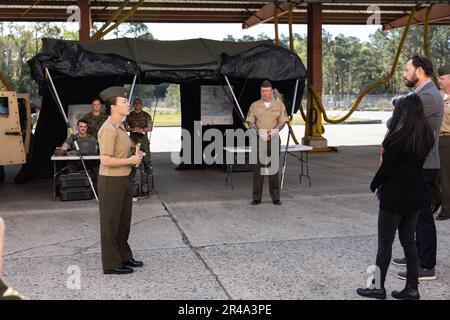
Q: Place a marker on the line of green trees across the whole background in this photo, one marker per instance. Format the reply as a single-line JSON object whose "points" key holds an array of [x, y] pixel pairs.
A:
{"points": [[349, 64]]}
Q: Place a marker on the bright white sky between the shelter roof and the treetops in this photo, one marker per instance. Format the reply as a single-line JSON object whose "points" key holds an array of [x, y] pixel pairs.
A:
{"points": [[167, 31]]}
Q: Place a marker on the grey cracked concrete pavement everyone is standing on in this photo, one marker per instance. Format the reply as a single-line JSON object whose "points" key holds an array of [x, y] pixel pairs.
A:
{"points": [[202, 240]]}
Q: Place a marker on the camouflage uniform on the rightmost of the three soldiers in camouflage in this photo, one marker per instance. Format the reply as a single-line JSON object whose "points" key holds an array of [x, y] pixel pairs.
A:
{"points": [[141, 120]]}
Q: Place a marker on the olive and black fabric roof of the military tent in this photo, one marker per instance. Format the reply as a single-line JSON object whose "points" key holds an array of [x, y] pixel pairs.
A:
{"points": [[167, 61]]}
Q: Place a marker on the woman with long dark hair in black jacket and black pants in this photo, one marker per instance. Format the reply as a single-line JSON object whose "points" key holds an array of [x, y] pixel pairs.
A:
{"points": [[399, 186]]}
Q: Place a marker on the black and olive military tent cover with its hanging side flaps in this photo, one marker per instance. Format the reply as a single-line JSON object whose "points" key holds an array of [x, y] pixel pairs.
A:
{"points": [[81, 70]]}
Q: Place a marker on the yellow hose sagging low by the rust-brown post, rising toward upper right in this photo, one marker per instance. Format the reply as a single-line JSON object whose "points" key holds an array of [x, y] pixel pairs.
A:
{"points": [[318, 101]]}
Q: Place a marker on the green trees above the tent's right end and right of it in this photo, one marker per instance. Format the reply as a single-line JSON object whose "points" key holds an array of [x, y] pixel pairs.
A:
{"points": [[350, 65]]}
